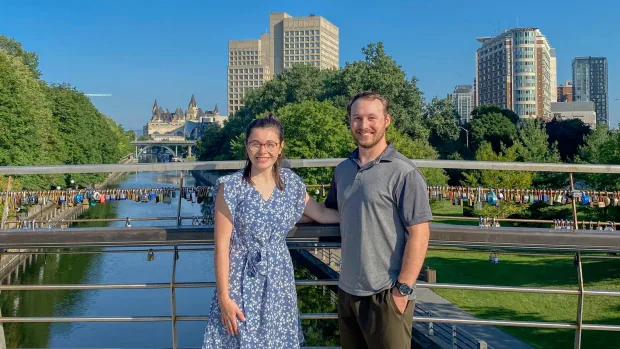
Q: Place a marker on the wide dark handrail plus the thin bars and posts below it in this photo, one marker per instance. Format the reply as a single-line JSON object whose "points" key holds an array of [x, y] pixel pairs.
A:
{"points": [[187, 239]]}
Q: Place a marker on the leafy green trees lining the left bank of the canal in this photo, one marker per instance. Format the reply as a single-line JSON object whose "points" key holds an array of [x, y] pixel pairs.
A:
{"points": [[44, 125]]}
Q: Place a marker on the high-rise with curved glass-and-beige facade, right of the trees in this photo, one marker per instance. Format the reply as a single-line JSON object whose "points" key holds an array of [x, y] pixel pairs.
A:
{"points": [[514, 71]]}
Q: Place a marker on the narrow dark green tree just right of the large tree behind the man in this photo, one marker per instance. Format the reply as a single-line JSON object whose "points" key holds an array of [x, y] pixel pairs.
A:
{"points": [[441, 121]]}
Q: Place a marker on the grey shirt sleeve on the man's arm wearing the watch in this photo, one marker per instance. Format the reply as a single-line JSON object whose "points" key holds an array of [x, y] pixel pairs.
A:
{"points": [[412, 199]]}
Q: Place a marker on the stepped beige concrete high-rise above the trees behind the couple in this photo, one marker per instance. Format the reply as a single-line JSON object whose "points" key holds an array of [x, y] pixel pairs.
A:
{"points": [[291, 40]]}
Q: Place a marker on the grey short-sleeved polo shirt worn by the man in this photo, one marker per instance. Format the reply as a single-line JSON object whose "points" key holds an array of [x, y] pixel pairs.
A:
{"points": [[377, 202]]}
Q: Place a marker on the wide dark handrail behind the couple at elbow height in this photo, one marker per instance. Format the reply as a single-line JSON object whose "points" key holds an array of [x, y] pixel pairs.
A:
{"points": [[441, 235]]}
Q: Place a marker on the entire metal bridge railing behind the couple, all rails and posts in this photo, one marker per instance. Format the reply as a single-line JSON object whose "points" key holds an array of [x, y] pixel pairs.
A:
{"points": [[308, 236]]}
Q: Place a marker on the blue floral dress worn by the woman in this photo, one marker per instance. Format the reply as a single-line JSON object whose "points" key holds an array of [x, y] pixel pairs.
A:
{"points": [[261, 278]]}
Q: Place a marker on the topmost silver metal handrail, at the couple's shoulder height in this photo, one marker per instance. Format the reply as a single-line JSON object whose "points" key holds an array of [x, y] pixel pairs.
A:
{"points": [[306, 163]]}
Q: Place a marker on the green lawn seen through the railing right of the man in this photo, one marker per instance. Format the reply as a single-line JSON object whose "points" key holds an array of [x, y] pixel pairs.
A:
{"points": [[534, 271]]}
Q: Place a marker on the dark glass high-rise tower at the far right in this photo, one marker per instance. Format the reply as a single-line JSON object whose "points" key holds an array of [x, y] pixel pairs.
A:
{"points": [[590, 84]]}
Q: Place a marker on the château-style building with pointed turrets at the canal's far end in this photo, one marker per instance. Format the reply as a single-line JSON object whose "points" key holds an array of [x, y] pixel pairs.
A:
{"points": [[185, 124]]}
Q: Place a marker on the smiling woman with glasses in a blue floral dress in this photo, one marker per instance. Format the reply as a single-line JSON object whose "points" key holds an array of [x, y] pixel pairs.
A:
{"points": [[255, 304]]}
